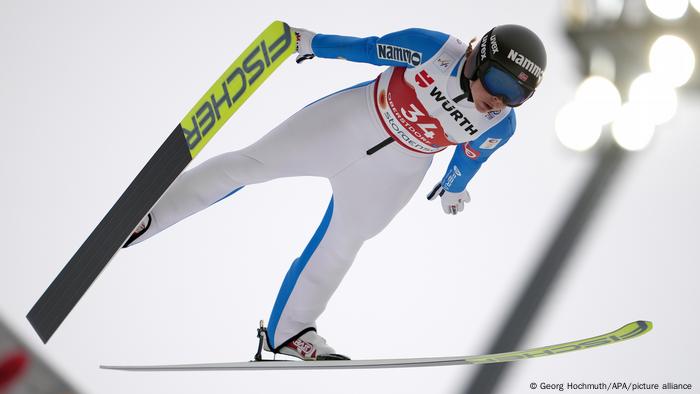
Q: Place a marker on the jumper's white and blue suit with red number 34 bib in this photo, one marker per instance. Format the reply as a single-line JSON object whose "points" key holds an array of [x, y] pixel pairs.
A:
{"points": [[411, 104]]}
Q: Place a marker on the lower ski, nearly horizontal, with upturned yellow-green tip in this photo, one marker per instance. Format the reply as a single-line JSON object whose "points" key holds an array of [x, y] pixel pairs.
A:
{"points": [[629, 331]]}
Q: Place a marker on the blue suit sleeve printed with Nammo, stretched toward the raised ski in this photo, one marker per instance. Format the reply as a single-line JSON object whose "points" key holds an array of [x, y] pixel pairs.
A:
{"points": [[405, 48]]}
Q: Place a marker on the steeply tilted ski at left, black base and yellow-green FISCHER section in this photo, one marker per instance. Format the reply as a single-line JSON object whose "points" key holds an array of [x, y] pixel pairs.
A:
{"points": [[226, 95]]}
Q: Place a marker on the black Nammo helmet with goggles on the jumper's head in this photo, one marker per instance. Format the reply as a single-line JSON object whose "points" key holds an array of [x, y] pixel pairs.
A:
{"points": [[510, 61]]}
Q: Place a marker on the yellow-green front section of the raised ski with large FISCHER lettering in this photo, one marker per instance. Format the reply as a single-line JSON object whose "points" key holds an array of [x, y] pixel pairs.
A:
{"points": [[232, 87]]}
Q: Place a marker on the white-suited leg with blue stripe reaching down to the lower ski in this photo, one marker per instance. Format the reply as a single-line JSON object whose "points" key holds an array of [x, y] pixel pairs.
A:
{"points": [[366, 197]]}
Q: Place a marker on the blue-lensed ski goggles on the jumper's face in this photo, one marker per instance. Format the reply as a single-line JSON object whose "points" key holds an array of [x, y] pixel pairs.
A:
{"points": [[498, 82]]}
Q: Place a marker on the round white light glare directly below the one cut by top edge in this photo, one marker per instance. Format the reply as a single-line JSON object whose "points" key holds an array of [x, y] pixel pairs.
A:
{"points": [[673, 59]]}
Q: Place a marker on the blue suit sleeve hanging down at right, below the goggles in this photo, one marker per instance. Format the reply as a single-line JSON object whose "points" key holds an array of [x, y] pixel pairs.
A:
{"points": [[469, 156]]}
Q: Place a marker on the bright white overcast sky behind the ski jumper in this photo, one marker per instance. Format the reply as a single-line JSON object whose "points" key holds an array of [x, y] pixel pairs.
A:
{"points": [[89, 90]]}
